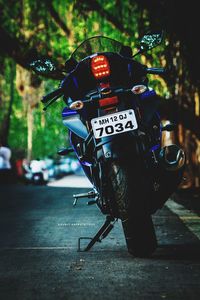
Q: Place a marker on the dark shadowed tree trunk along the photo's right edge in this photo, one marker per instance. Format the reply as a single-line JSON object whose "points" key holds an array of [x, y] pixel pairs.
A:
{"points": [[180, 22]]}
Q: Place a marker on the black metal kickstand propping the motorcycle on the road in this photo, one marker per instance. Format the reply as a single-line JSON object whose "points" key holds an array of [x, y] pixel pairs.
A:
{"points": [[101, 234]]}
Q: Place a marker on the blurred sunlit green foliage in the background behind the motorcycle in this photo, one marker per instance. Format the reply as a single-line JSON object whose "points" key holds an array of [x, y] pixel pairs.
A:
{"points": [[55, 28]]}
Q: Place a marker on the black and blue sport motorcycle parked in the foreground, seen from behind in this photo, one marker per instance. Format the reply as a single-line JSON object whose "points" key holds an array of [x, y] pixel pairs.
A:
{"points": [[115, 131]]}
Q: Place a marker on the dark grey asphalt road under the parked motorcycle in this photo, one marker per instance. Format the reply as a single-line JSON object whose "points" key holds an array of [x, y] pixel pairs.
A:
{"points": [[39, 231]]}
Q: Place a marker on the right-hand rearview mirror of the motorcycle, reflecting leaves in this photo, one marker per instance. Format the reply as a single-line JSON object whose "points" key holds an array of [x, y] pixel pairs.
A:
{"points": [[150, 41]]}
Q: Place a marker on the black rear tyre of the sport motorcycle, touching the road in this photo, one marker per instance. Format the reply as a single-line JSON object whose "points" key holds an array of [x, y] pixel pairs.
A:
{"points": [[130, 195]]}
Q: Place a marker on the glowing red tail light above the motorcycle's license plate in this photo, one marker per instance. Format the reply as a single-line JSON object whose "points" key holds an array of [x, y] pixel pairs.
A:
{"points": [[100, 67]]}
